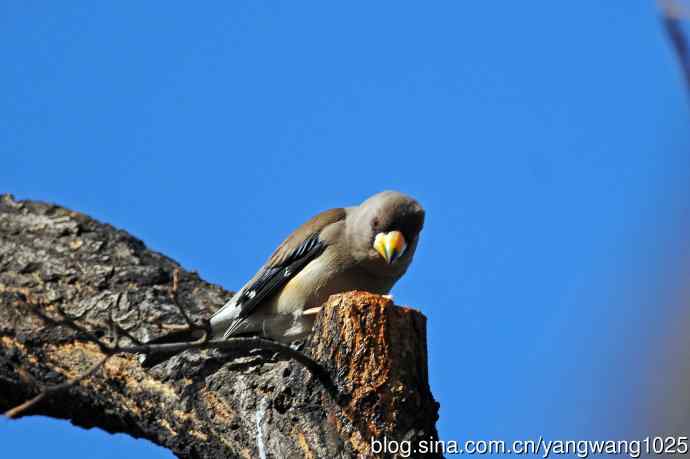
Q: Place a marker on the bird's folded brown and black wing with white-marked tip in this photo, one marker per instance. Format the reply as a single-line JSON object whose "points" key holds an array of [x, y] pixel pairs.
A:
{"points": [[301, 247]]}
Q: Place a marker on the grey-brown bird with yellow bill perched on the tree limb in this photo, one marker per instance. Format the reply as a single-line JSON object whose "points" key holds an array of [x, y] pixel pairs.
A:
{"points": [[364, 247]]}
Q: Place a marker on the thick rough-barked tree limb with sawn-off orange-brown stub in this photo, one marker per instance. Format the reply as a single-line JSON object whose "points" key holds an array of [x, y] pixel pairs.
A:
{"points": [[200, 403]]}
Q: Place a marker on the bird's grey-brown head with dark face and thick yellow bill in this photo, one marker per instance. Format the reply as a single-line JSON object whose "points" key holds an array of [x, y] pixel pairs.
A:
{"points": [[384, 232]]}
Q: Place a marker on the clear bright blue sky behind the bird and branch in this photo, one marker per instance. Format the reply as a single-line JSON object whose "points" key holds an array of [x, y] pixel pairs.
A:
{"points": [[549, 142]]}
